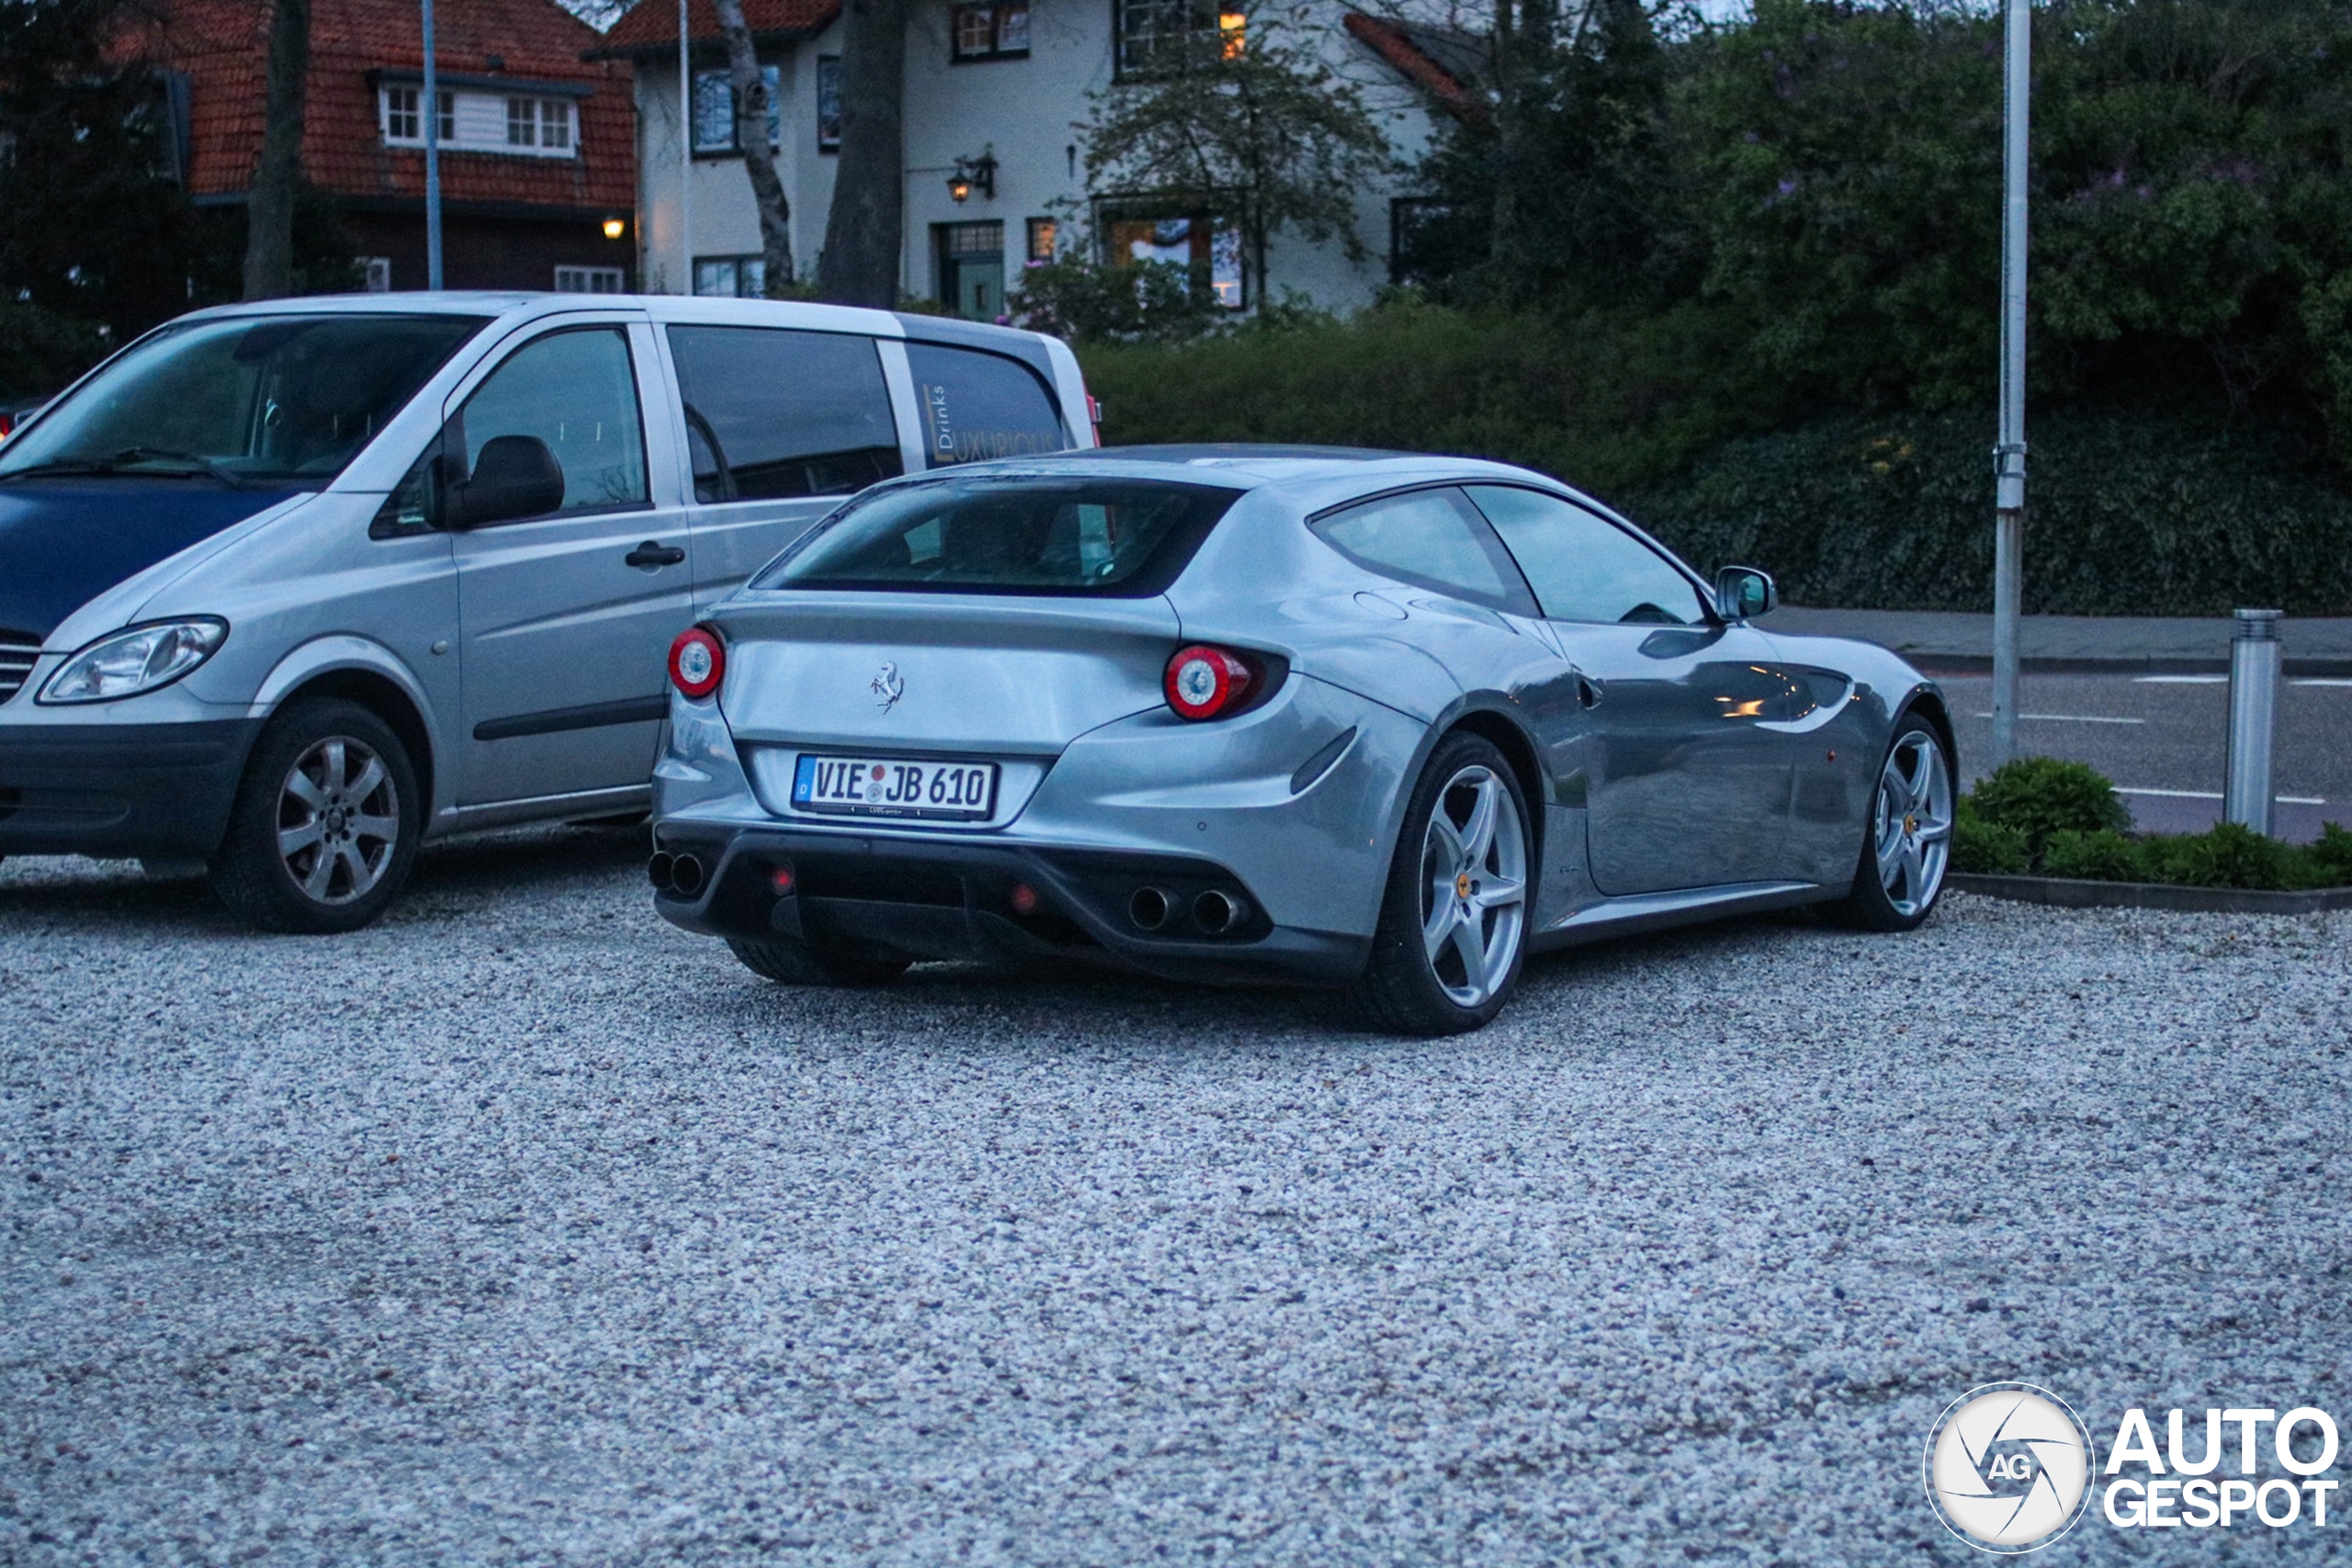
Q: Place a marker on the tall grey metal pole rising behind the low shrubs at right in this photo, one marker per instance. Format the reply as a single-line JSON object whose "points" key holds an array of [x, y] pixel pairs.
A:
{"points": [[2010, 455]]}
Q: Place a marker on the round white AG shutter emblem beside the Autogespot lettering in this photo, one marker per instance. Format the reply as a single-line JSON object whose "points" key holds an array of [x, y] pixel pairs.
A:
{"points": [[2010, 1468]]}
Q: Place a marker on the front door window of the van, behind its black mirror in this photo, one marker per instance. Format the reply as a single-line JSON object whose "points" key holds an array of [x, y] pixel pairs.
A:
{"points": [[575, 394]]}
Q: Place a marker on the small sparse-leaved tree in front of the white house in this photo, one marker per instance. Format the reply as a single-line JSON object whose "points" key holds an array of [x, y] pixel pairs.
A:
{"points": [[1262, 135]]}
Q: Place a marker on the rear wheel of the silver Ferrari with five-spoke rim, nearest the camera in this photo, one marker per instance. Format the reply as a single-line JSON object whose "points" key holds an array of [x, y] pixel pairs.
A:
{"points": [[1455, 913]]}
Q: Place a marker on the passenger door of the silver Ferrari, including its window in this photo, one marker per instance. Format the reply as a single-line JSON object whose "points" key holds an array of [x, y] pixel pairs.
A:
{"points": [[1685, 789]]}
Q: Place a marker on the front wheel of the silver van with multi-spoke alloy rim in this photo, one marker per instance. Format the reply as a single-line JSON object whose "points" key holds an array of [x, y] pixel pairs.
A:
{"points": [[326, 824]]}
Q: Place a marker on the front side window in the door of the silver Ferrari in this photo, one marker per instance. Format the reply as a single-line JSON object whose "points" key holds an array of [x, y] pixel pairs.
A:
{"points": [[1586, 568]]}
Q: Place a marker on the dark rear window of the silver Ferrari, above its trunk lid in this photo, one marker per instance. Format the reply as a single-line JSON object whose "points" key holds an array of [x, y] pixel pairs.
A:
{"points": [[1121, 540]]}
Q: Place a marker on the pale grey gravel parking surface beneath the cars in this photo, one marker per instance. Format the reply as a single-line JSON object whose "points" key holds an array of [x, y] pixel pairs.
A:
{"points": [[530, 1231]]}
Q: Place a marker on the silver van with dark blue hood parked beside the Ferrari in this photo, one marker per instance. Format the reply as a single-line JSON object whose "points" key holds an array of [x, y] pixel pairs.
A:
{"points": [[290, 589]]}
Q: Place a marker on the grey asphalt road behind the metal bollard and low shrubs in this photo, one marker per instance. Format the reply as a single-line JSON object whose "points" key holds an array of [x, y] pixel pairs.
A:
{"points": [[2165, 742]]}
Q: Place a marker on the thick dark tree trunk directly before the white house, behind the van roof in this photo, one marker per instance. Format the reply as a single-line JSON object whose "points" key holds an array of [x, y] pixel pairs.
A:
{"points": [[860, 264]]}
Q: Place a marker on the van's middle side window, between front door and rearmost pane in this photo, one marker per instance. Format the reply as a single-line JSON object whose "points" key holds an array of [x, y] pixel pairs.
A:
{"points": [[775, 413]]}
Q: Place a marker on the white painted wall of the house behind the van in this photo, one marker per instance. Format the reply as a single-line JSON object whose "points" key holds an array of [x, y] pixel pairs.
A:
{"points": [[1024, 112]]}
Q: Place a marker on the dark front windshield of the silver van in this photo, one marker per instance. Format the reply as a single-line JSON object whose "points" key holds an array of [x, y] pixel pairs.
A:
{"points": [[276, 398]]}
